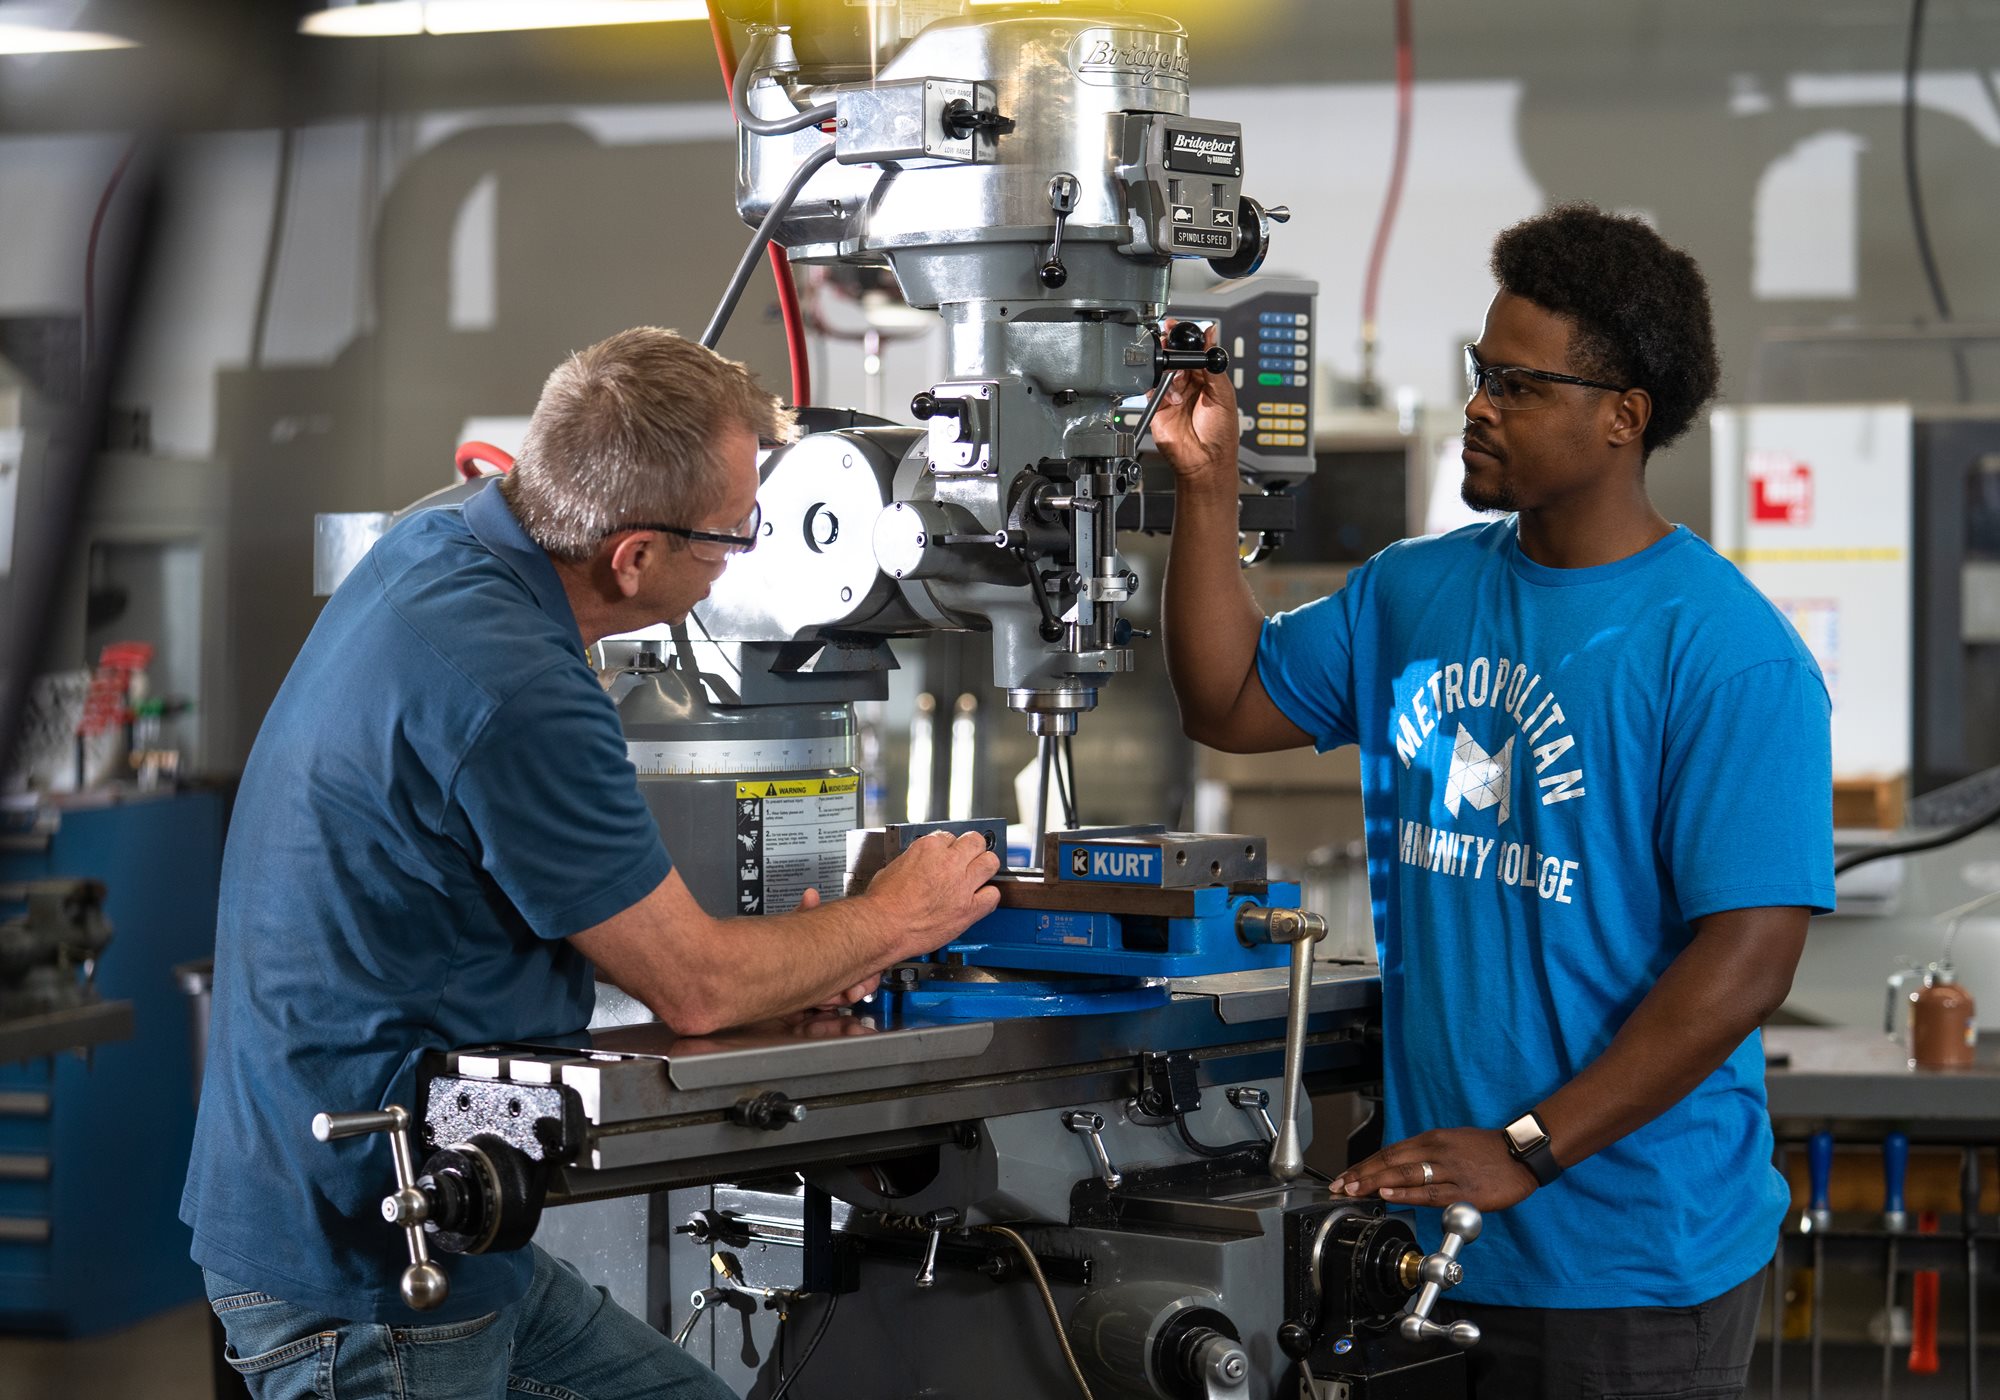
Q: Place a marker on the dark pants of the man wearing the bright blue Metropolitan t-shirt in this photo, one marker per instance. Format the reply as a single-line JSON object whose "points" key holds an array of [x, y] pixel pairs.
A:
{"points": [[1699, 1353]]}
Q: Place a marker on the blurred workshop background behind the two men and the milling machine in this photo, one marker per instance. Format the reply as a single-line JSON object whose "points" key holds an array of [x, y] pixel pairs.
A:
{"points": [[283, 275]]}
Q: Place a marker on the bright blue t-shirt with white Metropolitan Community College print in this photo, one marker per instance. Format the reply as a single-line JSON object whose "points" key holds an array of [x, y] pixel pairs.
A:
{"points": [[1563, 771]]}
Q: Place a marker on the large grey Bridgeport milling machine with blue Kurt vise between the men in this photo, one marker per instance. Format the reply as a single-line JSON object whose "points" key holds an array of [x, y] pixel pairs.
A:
{"points": [[1063, 1119]]}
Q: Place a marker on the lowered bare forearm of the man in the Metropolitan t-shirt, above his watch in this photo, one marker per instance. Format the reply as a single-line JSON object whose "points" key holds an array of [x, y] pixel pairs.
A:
{"points": [[1721, 989]]}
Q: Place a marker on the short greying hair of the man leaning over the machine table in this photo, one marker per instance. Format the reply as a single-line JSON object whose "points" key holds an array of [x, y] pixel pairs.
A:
{"points": [[631, 431]]}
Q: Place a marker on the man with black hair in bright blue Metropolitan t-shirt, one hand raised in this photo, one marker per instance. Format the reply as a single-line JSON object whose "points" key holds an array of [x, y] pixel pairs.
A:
{"points": [[1599, 807]]}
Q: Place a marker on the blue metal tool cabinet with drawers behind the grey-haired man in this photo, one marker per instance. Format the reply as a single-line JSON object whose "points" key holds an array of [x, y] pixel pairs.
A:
{"points": [[93, 1155]]}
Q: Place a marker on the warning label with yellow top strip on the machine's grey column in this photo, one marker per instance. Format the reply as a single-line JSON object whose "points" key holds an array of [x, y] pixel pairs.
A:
{"points": [[791, 837]]}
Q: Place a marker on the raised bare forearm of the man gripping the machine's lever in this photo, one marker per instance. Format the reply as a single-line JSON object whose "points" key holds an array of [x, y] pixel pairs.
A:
{"points": [[1211, 615]]}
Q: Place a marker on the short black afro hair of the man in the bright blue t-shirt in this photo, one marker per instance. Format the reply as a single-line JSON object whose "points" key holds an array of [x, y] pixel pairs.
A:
{"points": [[1639, 307]]}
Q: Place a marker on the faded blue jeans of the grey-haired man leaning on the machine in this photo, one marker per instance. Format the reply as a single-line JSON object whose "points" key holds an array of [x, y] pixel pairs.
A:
{"points": [[563, 1341]]}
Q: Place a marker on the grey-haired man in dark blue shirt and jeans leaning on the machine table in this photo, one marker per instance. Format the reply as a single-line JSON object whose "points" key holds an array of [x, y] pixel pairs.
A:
{"points": [[439, 837]]}
